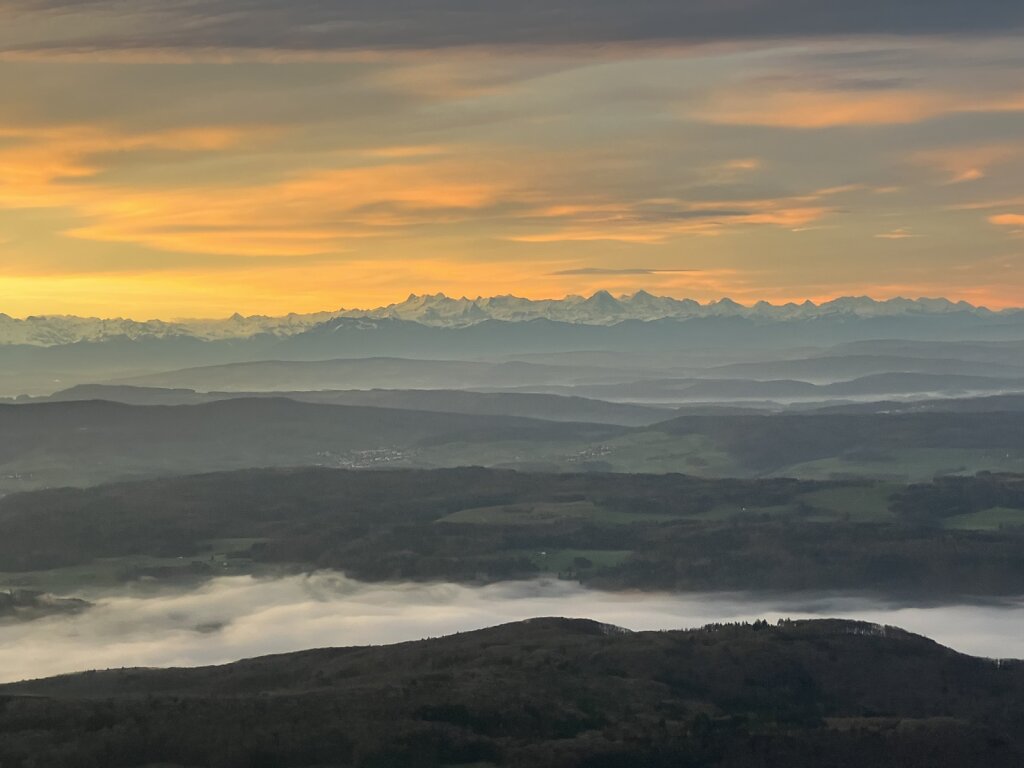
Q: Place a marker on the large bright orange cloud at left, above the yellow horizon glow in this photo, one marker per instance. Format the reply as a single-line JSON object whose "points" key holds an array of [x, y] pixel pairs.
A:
{"points": [[308, 212]]}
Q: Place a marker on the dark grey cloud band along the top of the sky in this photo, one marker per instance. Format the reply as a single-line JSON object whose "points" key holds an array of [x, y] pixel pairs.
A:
{"points": [[53, 26]]}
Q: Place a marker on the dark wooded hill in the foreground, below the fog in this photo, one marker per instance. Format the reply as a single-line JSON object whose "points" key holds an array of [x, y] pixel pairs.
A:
{"points": [[545, 693]]}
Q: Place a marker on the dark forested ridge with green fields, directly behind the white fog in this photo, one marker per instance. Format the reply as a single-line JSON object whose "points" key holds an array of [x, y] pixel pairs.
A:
{"points": [[475, 525]]}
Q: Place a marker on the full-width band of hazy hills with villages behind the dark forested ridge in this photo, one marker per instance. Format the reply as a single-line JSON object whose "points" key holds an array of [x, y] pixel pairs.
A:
{"points": [[88, 442]]}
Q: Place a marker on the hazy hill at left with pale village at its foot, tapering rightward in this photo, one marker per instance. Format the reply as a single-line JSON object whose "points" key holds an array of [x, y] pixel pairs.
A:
{"points": [[90, 442]]}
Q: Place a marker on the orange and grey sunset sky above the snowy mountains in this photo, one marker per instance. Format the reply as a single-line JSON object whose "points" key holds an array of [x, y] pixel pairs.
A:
{"points": [[196, 158]]}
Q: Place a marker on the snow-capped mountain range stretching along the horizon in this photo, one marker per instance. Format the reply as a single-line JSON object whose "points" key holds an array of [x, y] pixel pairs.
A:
{"points": [[440, 311]]}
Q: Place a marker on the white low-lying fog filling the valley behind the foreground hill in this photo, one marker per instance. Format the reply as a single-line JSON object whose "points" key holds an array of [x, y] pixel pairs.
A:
{"points": [[236, 618]]}
